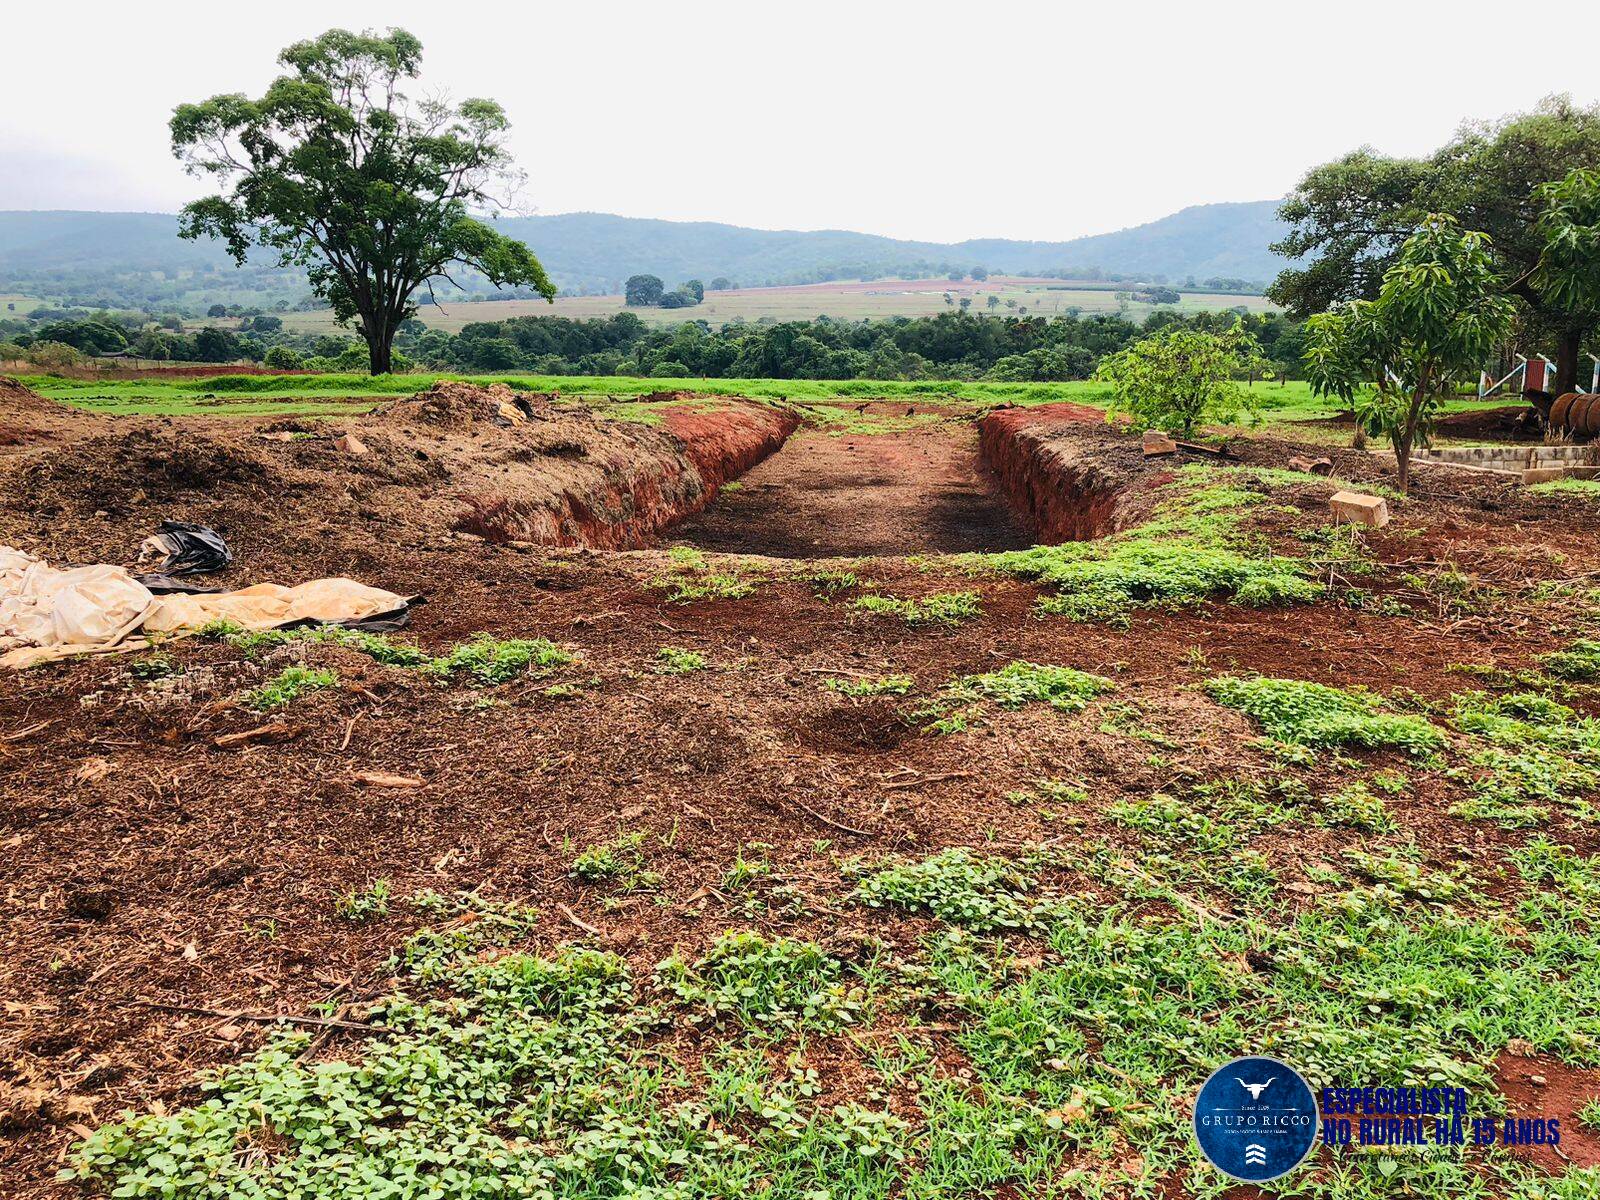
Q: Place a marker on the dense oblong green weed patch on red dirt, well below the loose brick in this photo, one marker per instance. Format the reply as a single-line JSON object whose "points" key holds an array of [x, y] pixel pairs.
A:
{"points": [[1318, 716]]}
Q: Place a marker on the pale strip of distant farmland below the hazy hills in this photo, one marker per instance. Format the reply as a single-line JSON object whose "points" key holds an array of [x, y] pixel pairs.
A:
{"points": [[844, 300]]}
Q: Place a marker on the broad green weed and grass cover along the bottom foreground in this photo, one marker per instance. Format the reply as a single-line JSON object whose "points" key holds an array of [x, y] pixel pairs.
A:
{"points": [[495, 1073]]}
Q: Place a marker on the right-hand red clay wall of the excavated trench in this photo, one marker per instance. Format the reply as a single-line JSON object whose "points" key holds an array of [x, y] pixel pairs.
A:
{"points": [[1071, 487]]}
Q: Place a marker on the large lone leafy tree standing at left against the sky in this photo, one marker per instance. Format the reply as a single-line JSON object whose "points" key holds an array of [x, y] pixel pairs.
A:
{"points": [[337, 170]]}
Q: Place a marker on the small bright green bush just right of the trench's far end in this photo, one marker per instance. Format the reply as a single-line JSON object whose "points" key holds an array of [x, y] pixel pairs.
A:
{"points": [[1180, 377]]}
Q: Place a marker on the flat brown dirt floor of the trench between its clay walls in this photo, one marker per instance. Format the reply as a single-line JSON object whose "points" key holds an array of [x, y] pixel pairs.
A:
{"points": [[839, 495]]}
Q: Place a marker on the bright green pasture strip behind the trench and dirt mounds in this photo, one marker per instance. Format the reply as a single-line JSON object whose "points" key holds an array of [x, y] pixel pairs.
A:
{"points": [[1281, 404]]}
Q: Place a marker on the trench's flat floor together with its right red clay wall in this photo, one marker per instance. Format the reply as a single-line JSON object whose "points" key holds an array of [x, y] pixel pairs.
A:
{"points": [[1017, 479]]}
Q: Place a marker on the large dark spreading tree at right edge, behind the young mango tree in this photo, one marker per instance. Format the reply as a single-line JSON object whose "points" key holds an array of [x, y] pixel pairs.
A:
{"points": [[1350, 218]]}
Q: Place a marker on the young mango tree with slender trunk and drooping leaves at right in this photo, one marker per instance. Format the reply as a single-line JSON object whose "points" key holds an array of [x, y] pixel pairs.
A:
{"points": [[1439, 313]]}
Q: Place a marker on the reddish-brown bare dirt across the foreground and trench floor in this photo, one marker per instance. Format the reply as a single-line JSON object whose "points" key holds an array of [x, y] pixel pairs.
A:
{"points": [[166, 898]]}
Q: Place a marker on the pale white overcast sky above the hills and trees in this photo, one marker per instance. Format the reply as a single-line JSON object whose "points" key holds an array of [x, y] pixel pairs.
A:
{"points": [[921, 121]]}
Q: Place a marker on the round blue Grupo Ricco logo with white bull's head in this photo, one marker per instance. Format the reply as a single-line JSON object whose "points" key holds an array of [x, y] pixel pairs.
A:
{"points": [[1257, 1119]]}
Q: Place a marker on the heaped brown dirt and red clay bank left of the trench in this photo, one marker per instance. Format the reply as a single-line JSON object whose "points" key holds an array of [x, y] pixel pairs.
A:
{"points": [[490, 463]]}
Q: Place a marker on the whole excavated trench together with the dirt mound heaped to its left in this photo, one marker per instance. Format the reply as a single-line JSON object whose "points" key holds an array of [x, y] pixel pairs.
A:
{"points": [[726, 476]]}
